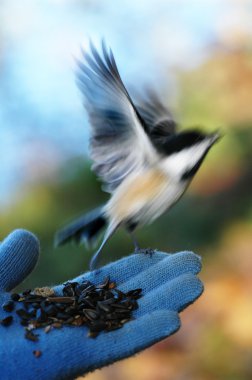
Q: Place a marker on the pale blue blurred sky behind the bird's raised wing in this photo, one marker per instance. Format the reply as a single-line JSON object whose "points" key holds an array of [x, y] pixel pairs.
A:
{"points": [[41, 115]]}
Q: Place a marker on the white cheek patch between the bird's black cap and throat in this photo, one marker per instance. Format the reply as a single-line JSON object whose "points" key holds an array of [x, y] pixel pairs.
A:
{"points": [[178, 163]]}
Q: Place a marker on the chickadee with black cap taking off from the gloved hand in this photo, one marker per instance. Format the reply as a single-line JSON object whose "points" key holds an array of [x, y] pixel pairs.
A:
{"points": [[145, 164]]}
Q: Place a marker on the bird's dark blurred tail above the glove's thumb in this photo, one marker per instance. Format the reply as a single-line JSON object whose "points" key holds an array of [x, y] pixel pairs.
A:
{"points": [[84, 229]]}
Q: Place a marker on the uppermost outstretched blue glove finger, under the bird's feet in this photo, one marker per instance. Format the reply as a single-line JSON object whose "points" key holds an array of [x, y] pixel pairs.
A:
{"points": [[123, 269]]}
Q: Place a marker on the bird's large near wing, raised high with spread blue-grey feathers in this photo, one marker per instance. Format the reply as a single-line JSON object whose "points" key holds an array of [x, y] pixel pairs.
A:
{"points": [[119, 141]]}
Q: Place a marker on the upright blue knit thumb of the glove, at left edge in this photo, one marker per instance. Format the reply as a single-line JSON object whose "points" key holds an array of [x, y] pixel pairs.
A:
{"points": [[19, 254]]}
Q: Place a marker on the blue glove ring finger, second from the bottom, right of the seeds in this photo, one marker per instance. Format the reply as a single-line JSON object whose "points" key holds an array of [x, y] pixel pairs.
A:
{"points": [[175, 295]]}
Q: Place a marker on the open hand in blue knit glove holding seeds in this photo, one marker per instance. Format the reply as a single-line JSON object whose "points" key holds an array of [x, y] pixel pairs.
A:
{"points": [[169, 285]]}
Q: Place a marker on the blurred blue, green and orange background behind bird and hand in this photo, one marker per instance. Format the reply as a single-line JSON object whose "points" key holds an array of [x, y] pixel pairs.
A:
{"points": [[198, 55]]}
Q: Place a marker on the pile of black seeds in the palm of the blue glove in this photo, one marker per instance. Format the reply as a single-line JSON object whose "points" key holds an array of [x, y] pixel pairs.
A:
{"points": [[100, 307]]}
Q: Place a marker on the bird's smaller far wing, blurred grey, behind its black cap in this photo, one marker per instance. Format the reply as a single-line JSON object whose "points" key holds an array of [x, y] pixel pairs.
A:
{"points": [[157, 117]]}
